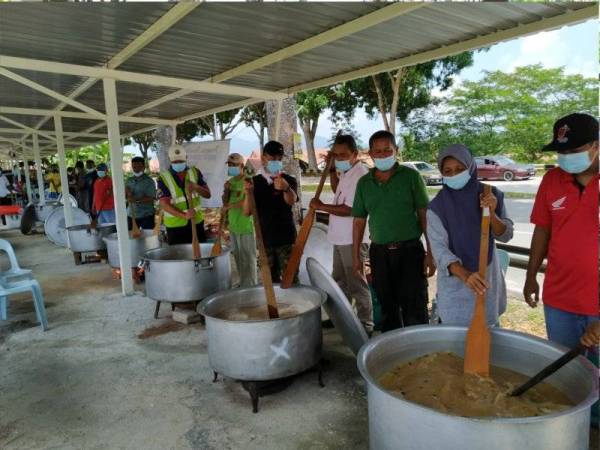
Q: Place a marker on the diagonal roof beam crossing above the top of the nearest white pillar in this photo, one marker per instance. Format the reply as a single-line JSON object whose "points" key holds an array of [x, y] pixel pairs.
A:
{"points": [[166, 21]]}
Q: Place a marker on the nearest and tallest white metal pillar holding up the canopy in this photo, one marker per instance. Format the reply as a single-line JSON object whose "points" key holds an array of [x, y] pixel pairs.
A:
{"points": [[116, 167]]}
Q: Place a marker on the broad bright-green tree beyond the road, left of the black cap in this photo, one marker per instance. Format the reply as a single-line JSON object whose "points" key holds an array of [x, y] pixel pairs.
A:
{"points": [[510, 113]]}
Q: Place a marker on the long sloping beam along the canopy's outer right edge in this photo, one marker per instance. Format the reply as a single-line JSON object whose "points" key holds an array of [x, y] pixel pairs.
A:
{"points": [[568, 18]]}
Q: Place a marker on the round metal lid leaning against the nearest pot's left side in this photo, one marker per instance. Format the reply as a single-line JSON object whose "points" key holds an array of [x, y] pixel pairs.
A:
{"points": [[337, 306]]}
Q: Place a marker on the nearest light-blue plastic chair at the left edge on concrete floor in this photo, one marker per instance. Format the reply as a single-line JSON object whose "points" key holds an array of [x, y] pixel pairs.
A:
{"points": [[10, 284]]}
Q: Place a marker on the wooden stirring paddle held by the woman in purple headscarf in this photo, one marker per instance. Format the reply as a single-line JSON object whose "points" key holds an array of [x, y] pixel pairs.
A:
{"points": [[477, 345]]}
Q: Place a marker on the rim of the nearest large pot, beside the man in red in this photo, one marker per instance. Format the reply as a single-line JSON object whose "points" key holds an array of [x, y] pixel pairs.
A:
{"points": [[371, 381]]}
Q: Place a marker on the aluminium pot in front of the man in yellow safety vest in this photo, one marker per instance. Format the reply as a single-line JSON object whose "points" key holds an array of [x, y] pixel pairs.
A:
{"points": [[172, 274]]}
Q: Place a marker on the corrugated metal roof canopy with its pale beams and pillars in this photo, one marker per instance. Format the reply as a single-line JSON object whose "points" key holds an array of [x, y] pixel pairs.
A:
{"points": [[72, 73]]}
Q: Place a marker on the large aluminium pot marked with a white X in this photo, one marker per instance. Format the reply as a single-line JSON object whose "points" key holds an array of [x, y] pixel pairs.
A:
{"points": [[260, 350]]}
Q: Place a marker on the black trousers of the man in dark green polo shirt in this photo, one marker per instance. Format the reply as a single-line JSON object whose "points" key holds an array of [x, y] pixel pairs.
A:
{"points": [[400, 284]]}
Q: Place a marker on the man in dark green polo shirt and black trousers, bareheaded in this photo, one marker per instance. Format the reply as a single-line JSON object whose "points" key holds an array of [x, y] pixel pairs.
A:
{"points": [[394, 199]]}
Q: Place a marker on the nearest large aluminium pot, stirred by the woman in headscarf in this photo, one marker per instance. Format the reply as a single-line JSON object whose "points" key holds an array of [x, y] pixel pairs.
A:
{"points": [[395, 423]]}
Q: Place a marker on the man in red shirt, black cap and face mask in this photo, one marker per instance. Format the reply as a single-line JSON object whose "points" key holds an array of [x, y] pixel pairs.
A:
{"points": [[565, 215]]}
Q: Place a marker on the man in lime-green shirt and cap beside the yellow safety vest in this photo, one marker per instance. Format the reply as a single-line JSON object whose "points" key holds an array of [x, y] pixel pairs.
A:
{"points": [[241, 227]]}
